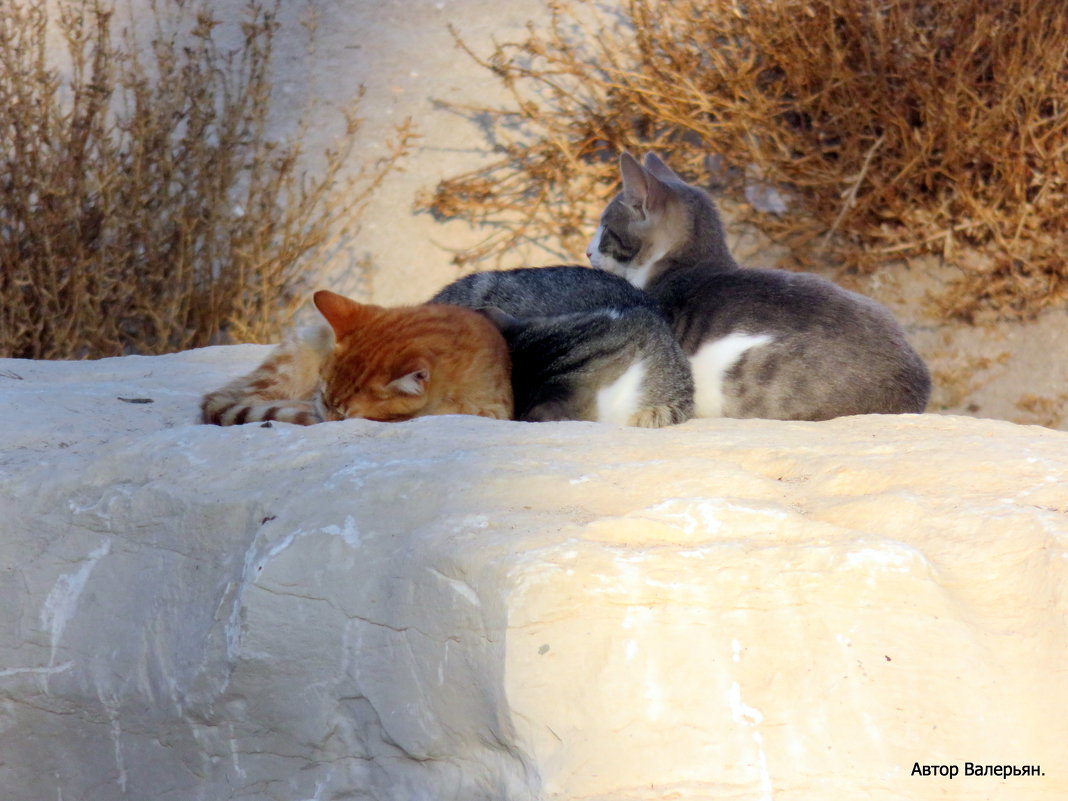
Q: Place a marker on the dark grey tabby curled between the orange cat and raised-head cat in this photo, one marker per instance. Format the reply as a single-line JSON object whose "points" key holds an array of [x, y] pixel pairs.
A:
{"points": [[585, 345]]}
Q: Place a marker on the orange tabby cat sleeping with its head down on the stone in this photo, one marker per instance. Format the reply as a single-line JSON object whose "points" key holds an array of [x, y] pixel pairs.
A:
{"points": [[385, 365]]}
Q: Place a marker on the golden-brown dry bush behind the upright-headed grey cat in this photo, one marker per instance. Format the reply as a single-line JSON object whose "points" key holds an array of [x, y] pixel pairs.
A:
{"points": [[894, 129]]}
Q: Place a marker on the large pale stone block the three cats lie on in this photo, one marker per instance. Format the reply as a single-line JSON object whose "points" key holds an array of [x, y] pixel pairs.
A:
{"points": [[465, 609]]}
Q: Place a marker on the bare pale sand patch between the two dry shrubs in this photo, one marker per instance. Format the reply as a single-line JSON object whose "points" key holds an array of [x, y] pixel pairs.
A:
{"points": [[404, 56]]}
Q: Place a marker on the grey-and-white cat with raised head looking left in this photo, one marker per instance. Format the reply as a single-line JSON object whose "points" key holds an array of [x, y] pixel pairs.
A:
{"points": [[762, 343]]}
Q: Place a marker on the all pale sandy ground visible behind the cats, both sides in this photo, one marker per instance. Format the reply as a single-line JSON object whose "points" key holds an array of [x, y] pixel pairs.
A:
{"points": [[404, 56]]}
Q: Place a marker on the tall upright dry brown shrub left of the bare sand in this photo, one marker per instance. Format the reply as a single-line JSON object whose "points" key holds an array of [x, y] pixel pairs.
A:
{"points": [[144, 208]]}
